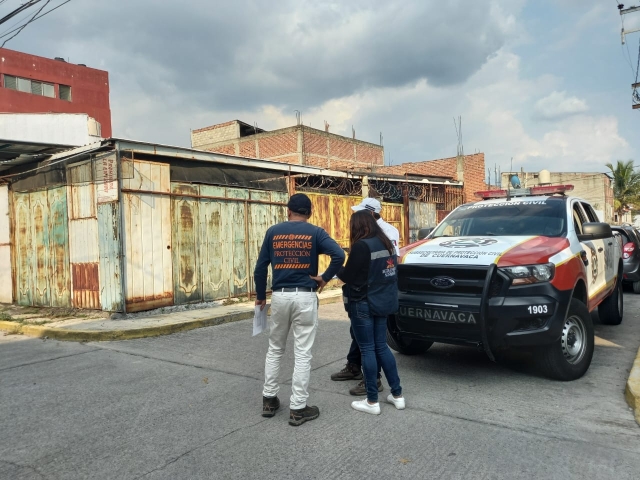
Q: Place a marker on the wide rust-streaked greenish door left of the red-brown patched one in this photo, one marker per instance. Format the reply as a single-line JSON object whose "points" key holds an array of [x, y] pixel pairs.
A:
{"points": [[41, 254]]}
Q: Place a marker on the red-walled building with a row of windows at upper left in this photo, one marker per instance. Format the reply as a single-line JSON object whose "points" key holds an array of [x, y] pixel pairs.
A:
{"points": [[32, 84]]}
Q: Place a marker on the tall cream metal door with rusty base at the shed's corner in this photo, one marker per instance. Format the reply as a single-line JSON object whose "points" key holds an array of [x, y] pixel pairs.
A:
{"points": [[147, 217]]}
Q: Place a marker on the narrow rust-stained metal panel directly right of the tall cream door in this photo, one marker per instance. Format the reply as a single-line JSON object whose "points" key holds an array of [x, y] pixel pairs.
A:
{"points": [[186, 266]]}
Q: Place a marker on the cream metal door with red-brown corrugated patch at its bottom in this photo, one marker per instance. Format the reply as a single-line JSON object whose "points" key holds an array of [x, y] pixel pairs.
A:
{"points": [[84, 247]]}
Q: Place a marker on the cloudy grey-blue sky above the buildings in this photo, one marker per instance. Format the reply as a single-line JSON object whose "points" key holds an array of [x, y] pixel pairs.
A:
{"points": [[546, 82]]}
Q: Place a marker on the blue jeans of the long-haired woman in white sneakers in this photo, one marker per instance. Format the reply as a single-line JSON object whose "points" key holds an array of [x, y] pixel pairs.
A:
{"points": [[371, 335]]}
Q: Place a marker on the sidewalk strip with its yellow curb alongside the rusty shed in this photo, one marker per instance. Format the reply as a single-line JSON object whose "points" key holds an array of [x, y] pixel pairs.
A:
{"points": [[104, 329]]}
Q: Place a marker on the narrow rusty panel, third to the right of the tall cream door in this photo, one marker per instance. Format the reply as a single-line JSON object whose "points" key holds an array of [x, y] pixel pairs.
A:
{"points": [[239, 237]]}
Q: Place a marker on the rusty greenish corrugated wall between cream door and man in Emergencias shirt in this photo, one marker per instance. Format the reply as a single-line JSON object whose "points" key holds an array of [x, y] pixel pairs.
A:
{"points": [[217, 235]]}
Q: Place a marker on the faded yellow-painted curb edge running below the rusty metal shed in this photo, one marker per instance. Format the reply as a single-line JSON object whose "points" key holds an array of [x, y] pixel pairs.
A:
{"points": [[69, 335]]}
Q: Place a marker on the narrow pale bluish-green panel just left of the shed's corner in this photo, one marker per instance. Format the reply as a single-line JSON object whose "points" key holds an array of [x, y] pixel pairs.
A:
{"points": [[109, 256]]}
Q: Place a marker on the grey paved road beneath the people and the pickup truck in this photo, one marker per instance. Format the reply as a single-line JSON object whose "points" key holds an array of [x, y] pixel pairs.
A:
{"points": [[188, 406]]}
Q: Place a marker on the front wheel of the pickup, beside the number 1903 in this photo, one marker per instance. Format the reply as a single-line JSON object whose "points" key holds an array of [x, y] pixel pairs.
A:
{"points": [[569, 357]]}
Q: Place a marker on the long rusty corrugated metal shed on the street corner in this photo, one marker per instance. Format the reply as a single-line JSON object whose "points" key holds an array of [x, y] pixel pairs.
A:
{"points": [[128, 226]]}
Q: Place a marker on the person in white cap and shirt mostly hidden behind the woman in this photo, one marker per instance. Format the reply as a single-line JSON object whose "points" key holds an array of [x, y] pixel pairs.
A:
{"points": [[353, 368]]}
